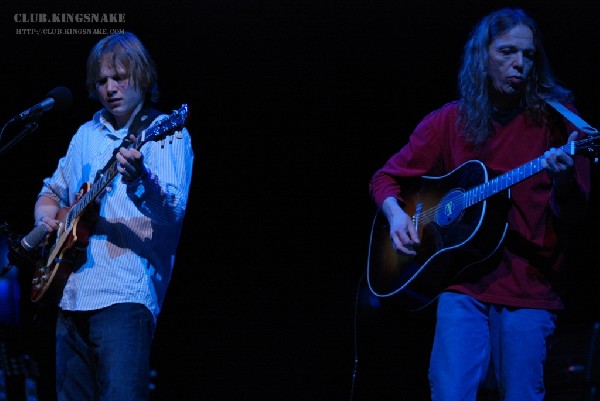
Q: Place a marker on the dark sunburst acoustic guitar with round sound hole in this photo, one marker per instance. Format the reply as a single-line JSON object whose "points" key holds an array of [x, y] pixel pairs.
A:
{"points": [[461, 220]]}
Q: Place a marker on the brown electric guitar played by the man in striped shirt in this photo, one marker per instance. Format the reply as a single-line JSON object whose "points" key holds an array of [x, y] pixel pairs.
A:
{"points": [[50, 277]]}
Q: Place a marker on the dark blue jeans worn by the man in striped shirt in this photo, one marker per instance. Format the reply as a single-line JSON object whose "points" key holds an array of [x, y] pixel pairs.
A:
{"points": [[104, 355]]}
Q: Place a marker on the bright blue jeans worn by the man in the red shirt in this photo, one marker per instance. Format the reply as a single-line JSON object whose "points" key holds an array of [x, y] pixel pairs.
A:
{"points": [[469, 334]]}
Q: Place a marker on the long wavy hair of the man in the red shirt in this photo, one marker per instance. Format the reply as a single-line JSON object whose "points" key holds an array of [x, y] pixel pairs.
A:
{"points": [[475, 108]]}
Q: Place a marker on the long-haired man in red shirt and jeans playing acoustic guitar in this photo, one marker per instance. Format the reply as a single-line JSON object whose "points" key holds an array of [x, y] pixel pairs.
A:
{"points": [[503, 310]]}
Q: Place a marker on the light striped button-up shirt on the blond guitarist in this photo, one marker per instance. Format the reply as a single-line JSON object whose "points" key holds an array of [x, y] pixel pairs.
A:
{"points": [[131, 251]]}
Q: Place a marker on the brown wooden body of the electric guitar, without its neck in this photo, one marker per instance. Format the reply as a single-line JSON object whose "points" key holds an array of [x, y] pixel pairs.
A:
{"points": [[49, 278]]}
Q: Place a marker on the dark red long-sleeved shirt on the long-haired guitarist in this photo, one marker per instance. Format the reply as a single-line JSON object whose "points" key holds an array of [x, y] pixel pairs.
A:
{"points": [[436, 148]]}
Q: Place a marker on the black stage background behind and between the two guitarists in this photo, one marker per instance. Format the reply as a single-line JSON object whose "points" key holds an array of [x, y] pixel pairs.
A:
{"points": [[293, 106]]}
